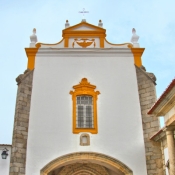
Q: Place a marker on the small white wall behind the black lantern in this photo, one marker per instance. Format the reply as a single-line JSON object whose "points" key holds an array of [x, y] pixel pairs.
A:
{"points": [[5, 163]]}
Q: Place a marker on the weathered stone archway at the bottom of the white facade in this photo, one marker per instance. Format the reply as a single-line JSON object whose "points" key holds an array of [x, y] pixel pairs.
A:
{"points": [[85, 159]]}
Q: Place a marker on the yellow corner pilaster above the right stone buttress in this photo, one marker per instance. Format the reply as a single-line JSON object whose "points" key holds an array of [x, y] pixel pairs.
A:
{"points": [[137, 53]]}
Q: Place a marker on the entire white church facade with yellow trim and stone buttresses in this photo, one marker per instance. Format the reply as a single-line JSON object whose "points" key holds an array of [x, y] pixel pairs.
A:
{"points": [[82, 108]]}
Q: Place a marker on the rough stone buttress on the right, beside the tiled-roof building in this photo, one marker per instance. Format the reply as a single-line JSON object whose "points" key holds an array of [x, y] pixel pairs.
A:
{"points": [[147, 95]]}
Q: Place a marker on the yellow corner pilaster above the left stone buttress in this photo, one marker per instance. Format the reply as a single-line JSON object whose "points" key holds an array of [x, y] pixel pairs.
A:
{"points": [[31, 53]]}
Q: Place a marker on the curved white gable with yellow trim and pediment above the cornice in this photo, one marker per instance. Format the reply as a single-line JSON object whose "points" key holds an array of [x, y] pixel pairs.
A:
{"points": [[84, 35]]}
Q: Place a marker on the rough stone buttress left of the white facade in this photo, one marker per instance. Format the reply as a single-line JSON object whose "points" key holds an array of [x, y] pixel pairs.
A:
{"points": [[20, 131]]}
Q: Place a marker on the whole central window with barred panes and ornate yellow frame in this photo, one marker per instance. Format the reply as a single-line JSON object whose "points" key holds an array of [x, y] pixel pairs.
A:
{"points": [[84, 107]]}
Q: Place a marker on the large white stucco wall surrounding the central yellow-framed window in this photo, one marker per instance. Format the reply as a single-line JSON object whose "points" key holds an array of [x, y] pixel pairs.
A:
{"points": [[120, 133]]}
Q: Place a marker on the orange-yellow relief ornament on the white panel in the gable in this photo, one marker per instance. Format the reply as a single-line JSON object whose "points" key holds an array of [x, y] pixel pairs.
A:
{"points": [[84, 42]]}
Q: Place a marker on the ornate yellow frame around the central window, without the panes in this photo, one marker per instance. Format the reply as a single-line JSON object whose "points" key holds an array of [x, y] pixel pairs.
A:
{"points": [[85, 88]]}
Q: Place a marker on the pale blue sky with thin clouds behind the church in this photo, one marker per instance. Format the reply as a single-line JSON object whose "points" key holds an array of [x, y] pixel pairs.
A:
{"points": [[154, 21]]}
